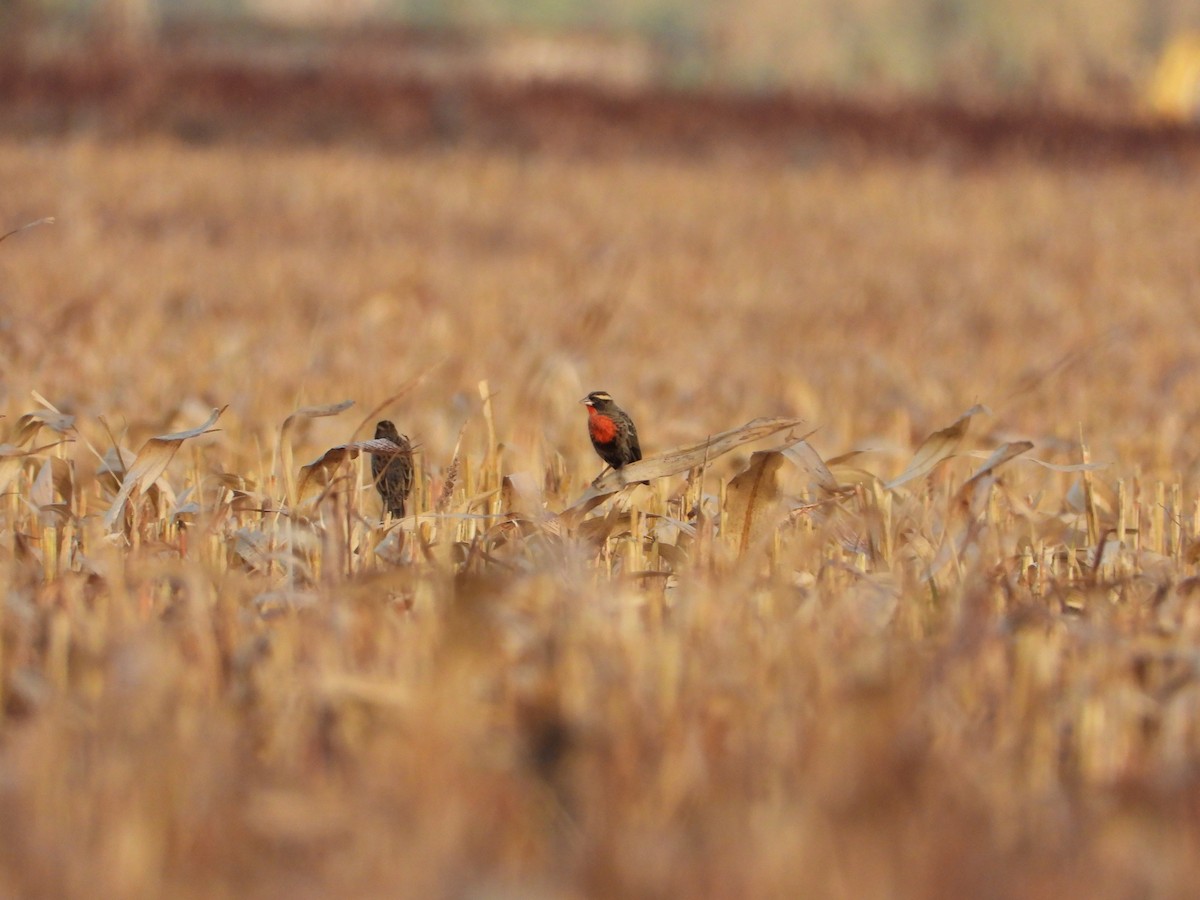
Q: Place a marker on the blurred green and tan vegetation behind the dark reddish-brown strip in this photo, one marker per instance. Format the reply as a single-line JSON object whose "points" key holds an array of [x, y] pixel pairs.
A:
{"points": [[1063, 51]]}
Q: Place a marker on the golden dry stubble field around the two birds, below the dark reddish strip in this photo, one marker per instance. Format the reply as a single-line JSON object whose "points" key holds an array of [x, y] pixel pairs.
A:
{"points": [[221, 676]]}
